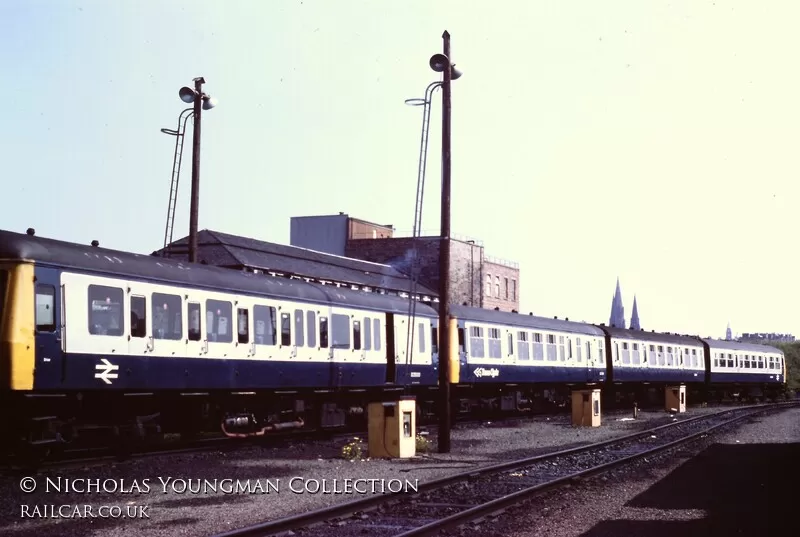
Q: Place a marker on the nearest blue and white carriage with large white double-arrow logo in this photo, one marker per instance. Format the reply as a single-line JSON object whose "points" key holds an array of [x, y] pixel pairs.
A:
{"points": [[91, 335]]}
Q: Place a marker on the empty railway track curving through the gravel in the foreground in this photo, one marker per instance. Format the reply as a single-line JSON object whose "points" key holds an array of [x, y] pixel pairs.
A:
{"points": [[470, 496]]}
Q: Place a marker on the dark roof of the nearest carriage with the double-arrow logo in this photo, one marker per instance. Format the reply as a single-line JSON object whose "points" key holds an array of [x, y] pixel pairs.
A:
{"points": [[119, 264]]}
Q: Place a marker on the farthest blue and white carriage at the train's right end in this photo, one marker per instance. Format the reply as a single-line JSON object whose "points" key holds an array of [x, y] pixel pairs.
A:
{"points": [[744, 370]]}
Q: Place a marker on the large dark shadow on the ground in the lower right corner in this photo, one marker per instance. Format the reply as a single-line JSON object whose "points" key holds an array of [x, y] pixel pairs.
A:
{"points": [[726, 490]]}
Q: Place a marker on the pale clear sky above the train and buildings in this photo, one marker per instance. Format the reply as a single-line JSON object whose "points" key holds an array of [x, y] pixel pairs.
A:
{"points": [[655, 141]]}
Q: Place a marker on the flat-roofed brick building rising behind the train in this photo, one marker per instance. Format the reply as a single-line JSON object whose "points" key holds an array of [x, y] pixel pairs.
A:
{"points": [[475, 278]]}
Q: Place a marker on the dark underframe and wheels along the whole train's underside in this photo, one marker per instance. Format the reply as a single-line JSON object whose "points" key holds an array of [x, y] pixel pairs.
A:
{"points": [[39, 422]]}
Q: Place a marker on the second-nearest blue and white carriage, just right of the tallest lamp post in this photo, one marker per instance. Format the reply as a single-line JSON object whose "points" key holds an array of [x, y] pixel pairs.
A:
{"points": [[530, 357]]}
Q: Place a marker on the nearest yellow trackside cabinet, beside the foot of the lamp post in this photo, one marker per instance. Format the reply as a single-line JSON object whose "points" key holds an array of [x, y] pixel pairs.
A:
{"points": [[392, 429]]}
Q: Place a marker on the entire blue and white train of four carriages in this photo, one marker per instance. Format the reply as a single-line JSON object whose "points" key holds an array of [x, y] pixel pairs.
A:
{"points": [[98, 339]]}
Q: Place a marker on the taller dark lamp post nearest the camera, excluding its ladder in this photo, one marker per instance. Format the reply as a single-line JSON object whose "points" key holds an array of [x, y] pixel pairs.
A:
{"points": [[441, 64]]}
